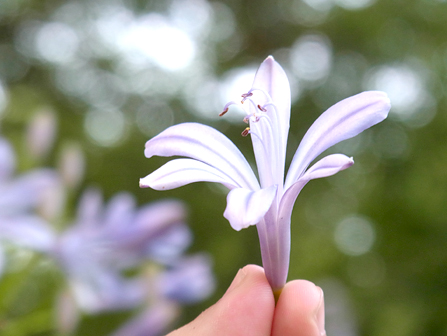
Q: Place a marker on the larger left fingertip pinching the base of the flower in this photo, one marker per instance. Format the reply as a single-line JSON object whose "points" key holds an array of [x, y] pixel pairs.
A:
{"points": [[246, 309]]}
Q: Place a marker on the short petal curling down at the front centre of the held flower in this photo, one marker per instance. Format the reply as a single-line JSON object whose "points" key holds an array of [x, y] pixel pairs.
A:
{"points": [[246, 207]]}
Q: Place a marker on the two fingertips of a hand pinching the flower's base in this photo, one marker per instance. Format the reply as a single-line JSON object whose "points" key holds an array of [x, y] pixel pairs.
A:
{"points": [[248, 309]]}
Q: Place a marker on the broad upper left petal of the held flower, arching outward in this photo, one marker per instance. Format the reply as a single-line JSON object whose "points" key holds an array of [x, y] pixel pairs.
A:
{"points": [[205, 144]]}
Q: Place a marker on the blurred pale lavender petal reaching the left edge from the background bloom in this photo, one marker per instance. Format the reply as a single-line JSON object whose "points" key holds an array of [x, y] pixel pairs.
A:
{"points": [[28, 231]]}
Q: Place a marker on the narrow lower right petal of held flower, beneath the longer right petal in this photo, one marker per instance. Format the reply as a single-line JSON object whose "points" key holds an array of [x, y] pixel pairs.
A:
{"points": [[327, 166]]}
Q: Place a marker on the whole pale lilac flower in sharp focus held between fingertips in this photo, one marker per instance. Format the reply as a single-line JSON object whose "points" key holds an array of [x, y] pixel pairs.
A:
{"points": [[266, 203]]}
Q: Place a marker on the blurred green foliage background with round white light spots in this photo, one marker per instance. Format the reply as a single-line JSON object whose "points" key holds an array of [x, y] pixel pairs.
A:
{"points": [[115, 73]]}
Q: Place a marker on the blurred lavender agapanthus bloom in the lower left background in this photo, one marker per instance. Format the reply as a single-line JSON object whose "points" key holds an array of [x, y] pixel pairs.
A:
{"points": [[106, 240]]}
